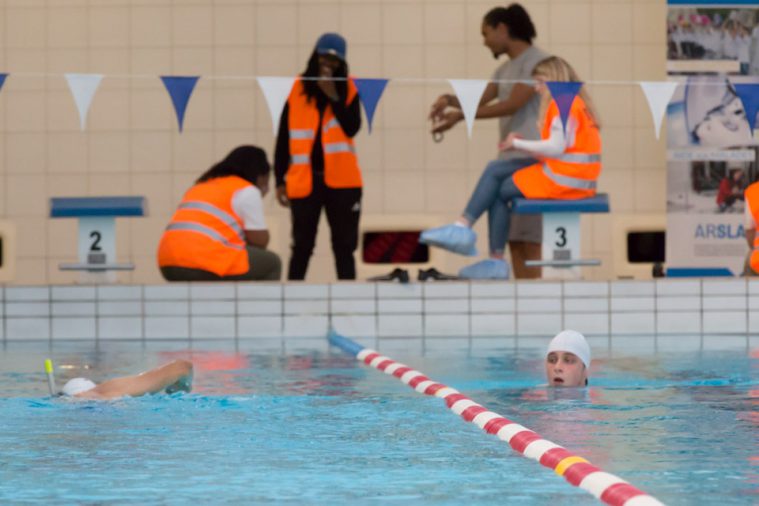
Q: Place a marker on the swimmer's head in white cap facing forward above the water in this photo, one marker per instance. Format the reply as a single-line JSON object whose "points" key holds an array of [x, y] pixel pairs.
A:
{"points": [[568, 360]]}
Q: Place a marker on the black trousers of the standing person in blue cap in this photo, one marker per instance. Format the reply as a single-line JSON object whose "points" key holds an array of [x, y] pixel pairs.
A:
{"points": [[343, 208]]}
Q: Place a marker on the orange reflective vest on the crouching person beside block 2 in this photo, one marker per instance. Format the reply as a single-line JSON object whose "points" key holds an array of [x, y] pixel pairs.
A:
{"points": [[205, 233]]}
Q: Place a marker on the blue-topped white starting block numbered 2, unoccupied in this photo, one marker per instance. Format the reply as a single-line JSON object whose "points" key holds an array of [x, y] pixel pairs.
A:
{"points": [[97, 232]]}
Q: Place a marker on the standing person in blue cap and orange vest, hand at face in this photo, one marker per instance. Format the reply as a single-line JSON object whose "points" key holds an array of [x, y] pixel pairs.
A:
{"points": [[315, 160]]}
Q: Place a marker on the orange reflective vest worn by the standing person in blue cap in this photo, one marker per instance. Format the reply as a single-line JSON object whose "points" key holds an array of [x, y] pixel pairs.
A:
{"points": [[340, 163]]}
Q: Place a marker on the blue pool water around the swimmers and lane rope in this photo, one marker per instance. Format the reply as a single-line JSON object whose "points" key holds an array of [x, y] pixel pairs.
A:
{"points": [[299, 425]]}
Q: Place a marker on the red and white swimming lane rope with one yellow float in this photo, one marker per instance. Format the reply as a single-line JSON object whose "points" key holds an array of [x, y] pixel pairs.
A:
{"points": [[607, 487]]}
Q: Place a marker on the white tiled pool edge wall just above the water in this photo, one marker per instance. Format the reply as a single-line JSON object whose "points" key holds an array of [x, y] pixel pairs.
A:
{"points": [[388, 311]]}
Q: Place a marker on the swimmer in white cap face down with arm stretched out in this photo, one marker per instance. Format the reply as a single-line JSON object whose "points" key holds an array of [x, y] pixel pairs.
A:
{"points": [[173, 377]]}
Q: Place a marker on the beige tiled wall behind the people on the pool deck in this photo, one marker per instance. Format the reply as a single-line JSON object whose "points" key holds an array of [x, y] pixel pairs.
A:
{"points": [[131, 144]]}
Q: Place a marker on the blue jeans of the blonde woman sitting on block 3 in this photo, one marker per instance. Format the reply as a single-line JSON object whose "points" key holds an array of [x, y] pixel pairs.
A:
{"points": [[493, 193]]}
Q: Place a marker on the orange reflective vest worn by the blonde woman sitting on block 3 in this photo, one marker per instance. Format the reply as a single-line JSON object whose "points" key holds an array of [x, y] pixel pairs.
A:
{"points": [[573, 174]]}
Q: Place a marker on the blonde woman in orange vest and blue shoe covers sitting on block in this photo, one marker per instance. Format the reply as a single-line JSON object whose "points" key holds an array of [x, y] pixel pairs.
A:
{"points": [[568, 168]]}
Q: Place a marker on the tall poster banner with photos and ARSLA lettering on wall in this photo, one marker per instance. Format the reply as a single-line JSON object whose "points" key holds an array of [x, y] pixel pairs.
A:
{"points": [[712, 152]]}
